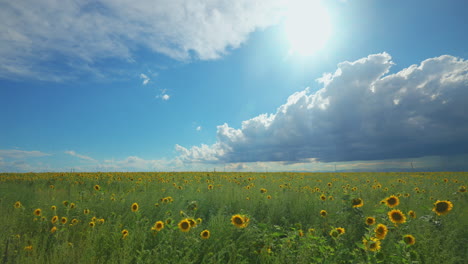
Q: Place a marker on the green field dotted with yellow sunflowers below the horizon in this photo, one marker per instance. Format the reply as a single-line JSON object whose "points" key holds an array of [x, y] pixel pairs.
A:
{"points": [[214, 217]]}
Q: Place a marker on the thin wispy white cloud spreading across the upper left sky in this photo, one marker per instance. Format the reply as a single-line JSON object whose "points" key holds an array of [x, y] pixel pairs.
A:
{"points": [[79, 33]]}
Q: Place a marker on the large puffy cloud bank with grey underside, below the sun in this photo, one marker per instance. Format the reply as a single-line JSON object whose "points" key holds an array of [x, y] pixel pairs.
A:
{"points": [[361, 113]]}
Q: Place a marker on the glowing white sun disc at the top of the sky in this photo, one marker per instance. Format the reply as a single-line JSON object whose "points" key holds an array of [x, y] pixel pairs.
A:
{"points": [[307, 26]]}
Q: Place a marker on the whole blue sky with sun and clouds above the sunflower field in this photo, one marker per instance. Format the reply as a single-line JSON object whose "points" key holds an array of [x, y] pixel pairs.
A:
{"points": [[246, 85]]}
